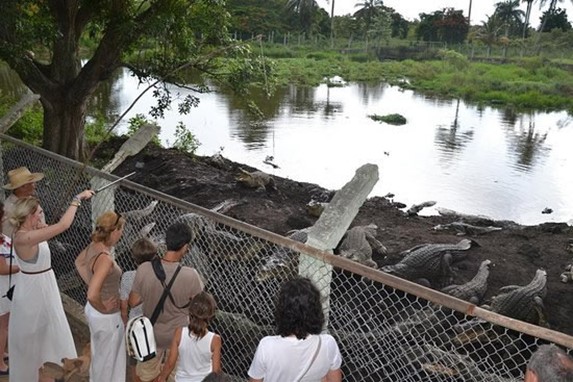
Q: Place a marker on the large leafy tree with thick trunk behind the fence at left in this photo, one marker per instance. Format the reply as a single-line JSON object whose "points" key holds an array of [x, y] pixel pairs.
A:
{"points": [[40, 40]]}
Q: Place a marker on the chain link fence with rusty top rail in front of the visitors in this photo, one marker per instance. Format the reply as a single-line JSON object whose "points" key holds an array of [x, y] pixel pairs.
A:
{"points": [[388, 329]]}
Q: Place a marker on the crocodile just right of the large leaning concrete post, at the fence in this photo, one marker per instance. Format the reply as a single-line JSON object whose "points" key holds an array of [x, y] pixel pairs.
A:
{"points": [[359, 242]]}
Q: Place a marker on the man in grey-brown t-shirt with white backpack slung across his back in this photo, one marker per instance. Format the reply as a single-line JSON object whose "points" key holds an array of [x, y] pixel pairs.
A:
{"points": [[151, 280]]}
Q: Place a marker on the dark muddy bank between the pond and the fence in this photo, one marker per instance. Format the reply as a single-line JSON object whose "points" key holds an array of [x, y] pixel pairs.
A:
{"points": [[516, 251]]}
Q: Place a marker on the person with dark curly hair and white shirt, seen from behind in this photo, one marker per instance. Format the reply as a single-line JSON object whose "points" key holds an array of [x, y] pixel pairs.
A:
{"points": [[299, 352]]}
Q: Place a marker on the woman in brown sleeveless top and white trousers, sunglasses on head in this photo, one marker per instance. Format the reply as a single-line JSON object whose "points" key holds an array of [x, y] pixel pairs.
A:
{"points": [[97, 267]]}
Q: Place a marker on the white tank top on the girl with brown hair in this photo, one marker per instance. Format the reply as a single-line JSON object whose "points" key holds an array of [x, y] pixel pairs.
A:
{"points": [[194, 357]]}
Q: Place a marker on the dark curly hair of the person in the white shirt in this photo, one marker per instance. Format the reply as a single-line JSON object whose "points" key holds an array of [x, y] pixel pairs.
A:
{"points": [[299, 310]]}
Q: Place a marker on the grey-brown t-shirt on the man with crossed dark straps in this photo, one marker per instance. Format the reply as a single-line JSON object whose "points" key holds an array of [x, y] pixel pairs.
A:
{"points": [[187, 284]]}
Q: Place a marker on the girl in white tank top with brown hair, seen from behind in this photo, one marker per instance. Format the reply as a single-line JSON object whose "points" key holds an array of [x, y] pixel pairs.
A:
{"points": [[198, 349]]}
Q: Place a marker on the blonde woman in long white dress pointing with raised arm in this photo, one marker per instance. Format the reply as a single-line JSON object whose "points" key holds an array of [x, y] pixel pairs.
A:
{"points": [[38, 328]]}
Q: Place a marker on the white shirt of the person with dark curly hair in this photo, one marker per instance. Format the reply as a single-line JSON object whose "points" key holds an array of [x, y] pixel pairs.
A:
{"points": [[280, 359]]}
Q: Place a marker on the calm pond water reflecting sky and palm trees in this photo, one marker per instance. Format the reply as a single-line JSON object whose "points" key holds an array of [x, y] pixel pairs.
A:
{"points": [[475, 160]]}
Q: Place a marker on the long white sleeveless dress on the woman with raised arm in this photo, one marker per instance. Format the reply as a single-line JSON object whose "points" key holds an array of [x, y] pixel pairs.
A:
{"points": [[38, 330]]}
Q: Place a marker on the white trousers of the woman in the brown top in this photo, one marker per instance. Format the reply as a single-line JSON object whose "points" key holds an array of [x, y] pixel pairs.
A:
{"points": [[107, 346]]}
